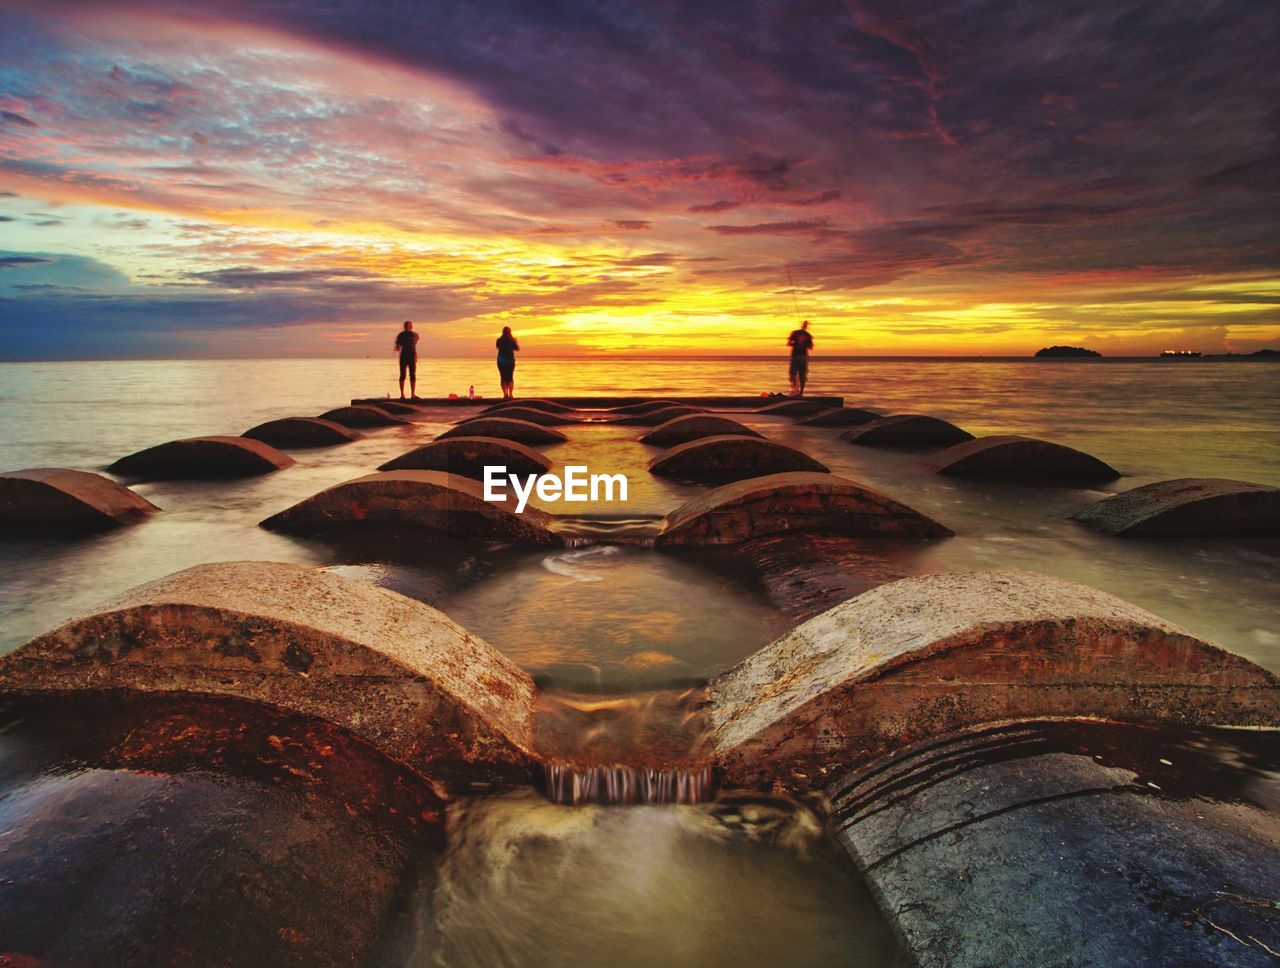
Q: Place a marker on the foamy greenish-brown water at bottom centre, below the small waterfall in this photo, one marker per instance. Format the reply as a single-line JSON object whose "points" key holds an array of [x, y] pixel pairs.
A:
{"points": [[730, 884]]}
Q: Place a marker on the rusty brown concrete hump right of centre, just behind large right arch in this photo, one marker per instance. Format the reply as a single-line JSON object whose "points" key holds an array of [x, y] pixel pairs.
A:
{"points": [[778, 504]]}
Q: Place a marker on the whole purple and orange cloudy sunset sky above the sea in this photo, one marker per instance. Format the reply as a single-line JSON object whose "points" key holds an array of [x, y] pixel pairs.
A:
{"points": [[296, 177]]}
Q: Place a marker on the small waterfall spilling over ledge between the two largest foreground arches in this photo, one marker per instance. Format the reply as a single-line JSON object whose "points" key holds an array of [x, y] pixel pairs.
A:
{"points": [[628, 786]]}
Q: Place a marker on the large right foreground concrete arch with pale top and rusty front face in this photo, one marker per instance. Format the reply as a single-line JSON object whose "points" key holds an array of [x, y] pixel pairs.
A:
{"points": [[932, 656]]}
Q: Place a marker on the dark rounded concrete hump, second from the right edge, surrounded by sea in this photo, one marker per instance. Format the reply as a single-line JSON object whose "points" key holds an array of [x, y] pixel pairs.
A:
{"points": [[1014, 458]]}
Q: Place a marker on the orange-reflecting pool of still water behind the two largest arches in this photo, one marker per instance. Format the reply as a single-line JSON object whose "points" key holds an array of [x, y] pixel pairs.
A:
{"points": [[600, 619]]}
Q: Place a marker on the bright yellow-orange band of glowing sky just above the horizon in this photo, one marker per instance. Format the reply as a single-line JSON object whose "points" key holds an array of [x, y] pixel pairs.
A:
{"points": [[678, 313]]}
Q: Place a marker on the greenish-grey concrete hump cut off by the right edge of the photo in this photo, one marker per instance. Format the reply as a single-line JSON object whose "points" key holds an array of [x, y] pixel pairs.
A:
{"points": [[1190, 508]]}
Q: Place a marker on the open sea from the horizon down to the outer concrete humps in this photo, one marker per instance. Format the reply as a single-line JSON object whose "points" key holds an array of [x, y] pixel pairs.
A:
{"points": [[1151, 419]]}
